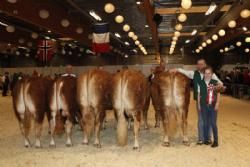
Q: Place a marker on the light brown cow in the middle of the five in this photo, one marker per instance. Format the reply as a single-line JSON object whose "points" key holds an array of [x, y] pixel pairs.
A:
{"points": [[93, 94]]}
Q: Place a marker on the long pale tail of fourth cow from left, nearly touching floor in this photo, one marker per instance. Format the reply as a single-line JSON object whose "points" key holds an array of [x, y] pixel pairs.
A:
{"points": [[122, 127]]}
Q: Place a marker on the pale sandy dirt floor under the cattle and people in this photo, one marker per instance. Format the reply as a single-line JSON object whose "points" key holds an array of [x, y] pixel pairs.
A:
{"points": [[234, 140]]}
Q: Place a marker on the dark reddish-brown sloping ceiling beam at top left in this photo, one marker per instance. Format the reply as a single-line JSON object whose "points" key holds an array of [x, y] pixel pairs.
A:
{"points": [[28, 11]]}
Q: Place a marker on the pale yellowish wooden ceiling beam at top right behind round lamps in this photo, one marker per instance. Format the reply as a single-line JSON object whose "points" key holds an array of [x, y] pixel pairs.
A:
{"points": [[193, 9]]}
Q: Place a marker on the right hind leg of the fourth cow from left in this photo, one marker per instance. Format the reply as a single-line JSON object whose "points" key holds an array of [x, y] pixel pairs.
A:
{"points": [[137, 121]]}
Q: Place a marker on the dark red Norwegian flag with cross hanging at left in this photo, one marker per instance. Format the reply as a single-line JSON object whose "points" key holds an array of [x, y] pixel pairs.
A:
{"points": [[45, 50]]}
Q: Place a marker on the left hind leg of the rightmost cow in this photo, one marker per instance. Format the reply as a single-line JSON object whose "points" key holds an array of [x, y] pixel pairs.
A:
{"points": [[165, 123]]}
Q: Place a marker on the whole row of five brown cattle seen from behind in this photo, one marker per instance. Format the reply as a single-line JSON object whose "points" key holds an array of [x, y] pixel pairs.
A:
{"points": [[86, 99]]}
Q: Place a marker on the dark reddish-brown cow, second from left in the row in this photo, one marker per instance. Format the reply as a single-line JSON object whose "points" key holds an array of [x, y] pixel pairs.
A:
{"points": [[63, 107]]}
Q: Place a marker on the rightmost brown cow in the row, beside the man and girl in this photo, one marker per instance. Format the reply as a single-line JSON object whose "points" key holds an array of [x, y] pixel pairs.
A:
{"points": [[173, 96]]}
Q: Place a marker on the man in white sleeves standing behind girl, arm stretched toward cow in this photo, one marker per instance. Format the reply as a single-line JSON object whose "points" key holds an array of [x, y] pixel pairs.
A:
{"points": [[197, 77]]}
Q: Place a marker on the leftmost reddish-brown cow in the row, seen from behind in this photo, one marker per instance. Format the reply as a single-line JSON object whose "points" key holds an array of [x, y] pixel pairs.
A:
{"points": [[30, 102]]}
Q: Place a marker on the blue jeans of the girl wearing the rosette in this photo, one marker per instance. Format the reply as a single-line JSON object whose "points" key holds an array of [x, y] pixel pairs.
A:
{"points": [[209, 116]]}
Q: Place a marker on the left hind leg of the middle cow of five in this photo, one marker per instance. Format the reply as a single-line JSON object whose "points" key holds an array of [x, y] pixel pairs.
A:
{"points": [[87, 121]]}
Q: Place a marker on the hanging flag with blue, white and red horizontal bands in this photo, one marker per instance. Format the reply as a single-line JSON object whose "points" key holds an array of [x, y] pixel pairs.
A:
{"points": [[101, 38]]}
